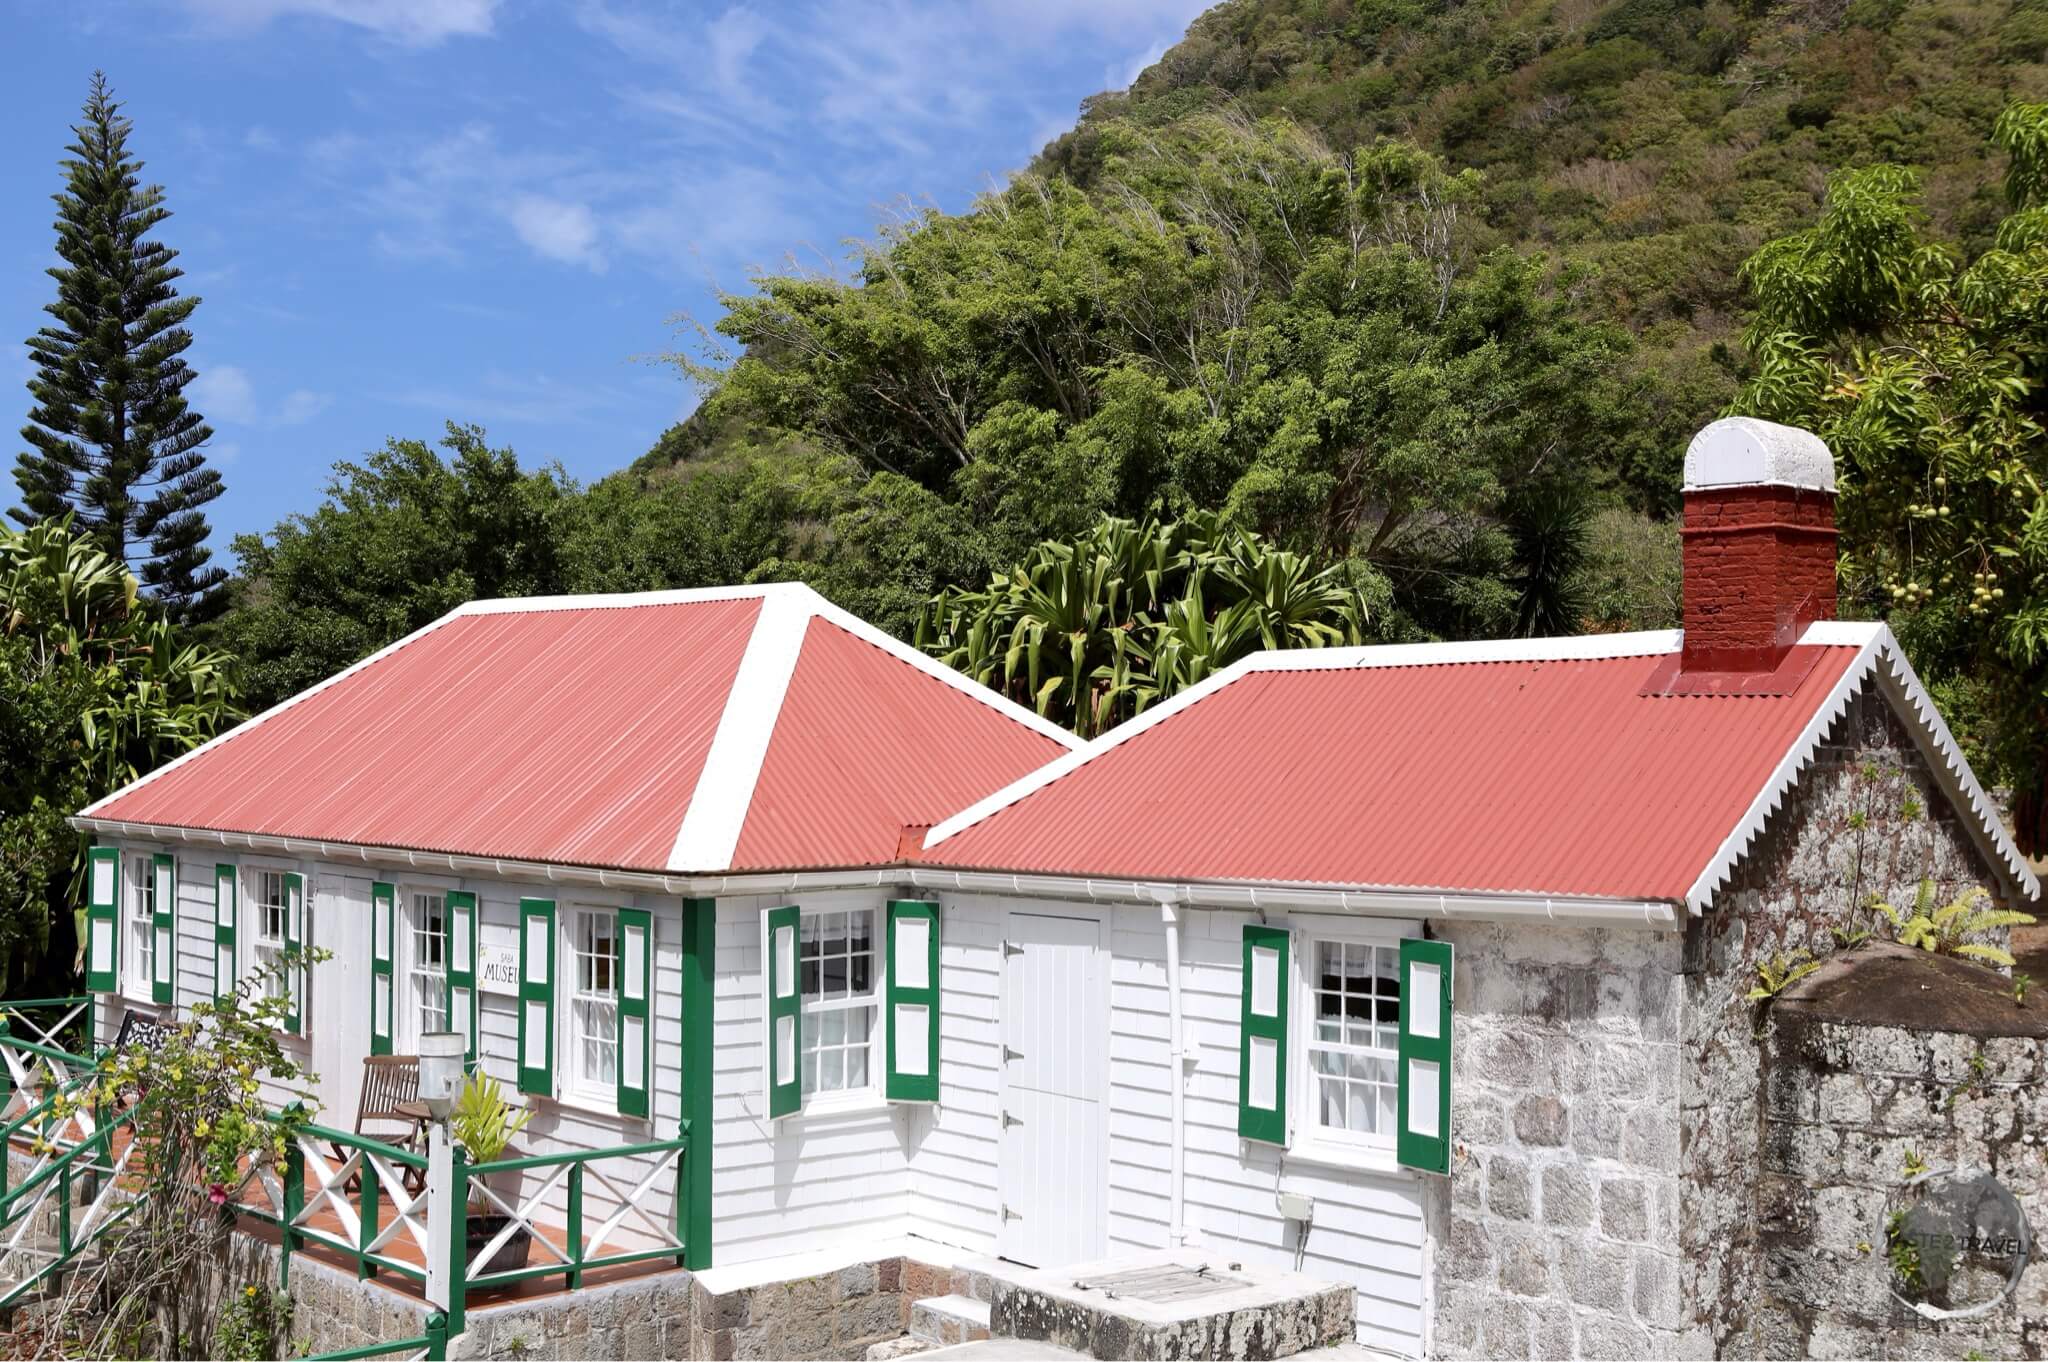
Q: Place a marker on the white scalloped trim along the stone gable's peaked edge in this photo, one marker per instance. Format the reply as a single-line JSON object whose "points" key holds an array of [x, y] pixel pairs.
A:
{"points": [[1883, 658]]}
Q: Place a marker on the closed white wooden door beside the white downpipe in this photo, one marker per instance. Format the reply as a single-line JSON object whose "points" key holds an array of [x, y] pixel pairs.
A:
{"points": [[1052, 1162]]}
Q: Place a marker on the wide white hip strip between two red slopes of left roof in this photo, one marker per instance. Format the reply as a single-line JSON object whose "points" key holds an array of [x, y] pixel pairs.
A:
{"points": [[724, 792]]}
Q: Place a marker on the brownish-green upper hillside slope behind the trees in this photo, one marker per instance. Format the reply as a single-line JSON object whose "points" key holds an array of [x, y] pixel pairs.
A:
{"points": [[1656, 140]]}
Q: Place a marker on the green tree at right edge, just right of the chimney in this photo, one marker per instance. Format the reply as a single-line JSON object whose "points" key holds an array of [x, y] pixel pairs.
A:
{"points": [[1926, 372]]}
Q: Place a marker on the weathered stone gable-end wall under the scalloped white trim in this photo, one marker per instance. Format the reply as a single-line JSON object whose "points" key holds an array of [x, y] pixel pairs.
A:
{"points": [[1863, 820]]}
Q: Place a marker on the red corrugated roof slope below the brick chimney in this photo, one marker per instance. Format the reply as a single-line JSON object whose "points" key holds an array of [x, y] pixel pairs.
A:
{"points": [[1551, 777]]}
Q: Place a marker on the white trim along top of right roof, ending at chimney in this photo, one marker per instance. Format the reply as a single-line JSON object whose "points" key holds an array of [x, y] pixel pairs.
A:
{"points": [[1578, 648]]}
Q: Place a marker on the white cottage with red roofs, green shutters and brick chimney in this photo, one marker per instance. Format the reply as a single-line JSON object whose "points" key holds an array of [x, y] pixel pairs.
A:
{"points": [[1404, 968]]}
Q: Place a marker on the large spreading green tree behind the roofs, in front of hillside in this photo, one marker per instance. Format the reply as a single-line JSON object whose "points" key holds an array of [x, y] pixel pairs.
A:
{"points": [[1310, 343]]}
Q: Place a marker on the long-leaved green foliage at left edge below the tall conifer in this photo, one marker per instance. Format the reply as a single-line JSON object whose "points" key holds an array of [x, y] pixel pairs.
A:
{"points": [[95, 691]]}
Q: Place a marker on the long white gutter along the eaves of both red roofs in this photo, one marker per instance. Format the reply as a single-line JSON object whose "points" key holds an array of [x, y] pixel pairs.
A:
{"points": [[1195, 894]]}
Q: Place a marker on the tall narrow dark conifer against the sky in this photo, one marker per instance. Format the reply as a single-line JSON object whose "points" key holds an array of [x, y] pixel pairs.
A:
{"points": [[112, 437]]}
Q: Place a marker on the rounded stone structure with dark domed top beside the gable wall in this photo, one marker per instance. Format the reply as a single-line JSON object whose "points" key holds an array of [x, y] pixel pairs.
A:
{"points": [[1846, 1105]]}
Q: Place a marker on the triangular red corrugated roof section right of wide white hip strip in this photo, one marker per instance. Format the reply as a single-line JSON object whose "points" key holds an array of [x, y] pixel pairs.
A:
{"points": [[822, 794]]}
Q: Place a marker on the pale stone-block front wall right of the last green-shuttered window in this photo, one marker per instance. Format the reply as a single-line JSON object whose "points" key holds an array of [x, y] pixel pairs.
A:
{"points": [[1562, 1230]]}
